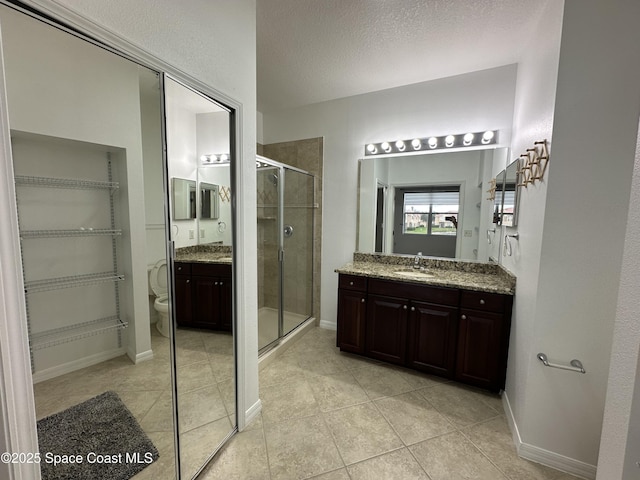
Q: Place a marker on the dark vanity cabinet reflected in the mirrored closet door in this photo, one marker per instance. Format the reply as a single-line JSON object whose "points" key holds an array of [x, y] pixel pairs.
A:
{"points": [[203, 295]]}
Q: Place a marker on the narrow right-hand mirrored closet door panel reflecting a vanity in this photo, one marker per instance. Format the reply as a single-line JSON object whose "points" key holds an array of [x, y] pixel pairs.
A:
{"points": [[202, 268]]}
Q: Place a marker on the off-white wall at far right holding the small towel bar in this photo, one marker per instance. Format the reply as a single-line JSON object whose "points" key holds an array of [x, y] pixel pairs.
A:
{"points": [[594, 136]]}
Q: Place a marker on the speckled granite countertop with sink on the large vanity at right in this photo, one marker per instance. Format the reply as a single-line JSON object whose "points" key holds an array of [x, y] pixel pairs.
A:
{"points": [[478, 276]]}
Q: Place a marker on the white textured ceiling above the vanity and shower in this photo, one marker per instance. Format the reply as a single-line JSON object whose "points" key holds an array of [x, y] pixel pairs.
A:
{"points": [[310, 51]]}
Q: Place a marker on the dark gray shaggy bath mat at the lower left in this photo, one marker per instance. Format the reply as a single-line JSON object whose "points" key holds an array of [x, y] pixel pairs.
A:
{"points": [[96, 440]]}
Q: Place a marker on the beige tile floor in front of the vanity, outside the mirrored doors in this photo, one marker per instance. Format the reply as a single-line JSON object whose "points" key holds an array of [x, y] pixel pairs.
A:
{"points": [[329, 415]]}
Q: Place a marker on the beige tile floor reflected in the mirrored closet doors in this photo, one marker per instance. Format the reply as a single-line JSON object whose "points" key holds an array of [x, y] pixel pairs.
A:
{"points": [[205, 383]]}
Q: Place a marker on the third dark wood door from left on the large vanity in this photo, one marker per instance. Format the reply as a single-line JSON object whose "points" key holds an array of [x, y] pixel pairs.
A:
{"points": [[431, 343]]}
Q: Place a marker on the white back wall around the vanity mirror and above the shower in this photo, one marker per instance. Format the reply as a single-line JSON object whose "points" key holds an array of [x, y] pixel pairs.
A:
{"points": [[472, 102]]}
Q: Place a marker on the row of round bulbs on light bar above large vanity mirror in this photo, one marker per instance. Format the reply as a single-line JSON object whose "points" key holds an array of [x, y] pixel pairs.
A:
{"points": [[471, 139]]}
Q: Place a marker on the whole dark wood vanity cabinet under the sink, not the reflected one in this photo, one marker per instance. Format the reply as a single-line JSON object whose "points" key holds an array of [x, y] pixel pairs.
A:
{"points": [[458, 334]]}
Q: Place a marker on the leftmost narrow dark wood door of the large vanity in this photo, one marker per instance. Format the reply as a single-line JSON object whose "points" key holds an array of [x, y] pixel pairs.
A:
{"points": [[351, 320]]}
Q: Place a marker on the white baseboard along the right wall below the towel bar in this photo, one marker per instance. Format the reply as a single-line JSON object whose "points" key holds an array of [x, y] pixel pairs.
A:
{"points": [[542, 456]]}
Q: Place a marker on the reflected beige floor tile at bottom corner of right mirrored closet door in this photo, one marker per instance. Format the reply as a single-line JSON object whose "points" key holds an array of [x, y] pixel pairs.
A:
{"points": [[197, 445]]}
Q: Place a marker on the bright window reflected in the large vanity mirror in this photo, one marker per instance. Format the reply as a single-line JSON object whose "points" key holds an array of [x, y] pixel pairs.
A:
{"points": [[431, 211]]}
